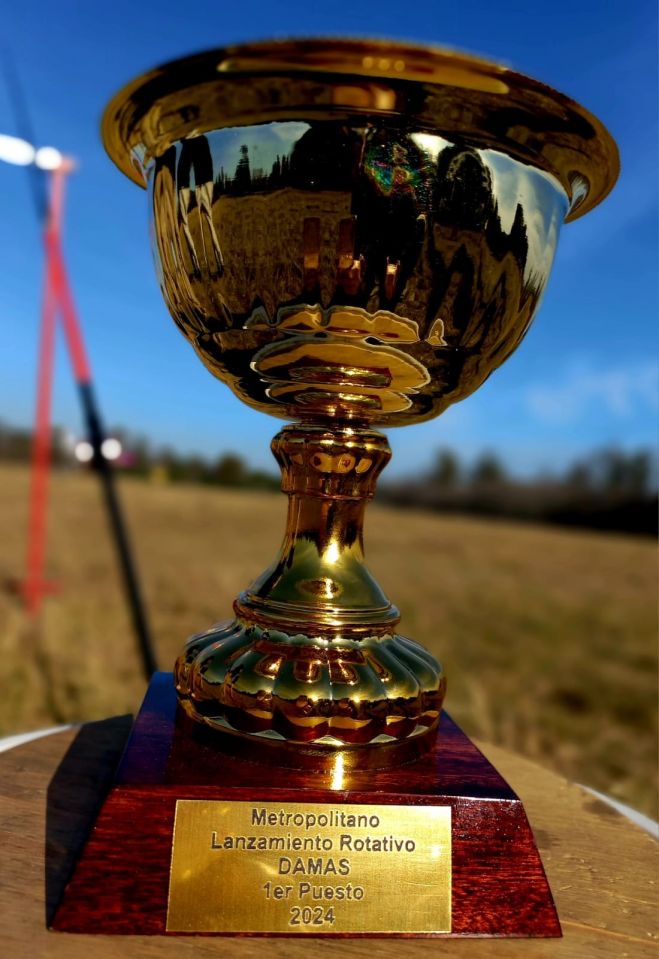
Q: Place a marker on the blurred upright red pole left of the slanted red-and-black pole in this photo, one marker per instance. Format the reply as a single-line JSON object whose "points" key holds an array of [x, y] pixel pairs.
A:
{"points": [[35, 585]]}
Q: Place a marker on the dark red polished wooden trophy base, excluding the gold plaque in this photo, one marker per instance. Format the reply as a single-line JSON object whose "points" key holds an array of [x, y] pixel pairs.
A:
{"points": [[121, 883]]}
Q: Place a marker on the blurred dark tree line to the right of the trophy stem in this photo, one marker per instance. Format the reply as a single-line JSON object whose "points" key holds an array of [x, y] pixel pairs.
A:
{"points": [[608, 489]]}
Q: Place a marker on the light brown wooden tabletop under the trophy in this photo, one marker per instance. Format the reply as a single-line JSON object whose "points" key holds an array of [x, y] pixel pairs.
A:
{"points": [[603, 870]]}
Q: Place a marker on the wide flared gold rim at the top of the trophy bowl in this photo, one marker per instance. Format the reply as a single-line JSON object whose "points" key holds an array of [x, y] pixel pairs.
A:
{"points": [[484, 103]]}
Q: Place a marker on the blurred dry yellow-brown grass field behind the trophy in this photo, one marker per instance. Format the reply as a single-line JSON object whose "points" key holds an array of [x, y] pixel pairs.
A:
{"points": [[548, 637]]}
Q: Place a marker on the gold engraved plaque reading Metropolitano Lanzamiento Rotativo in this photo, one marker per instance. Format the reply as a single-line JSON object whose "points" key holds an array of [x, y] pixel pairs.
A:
{"points": [[311, 868]]}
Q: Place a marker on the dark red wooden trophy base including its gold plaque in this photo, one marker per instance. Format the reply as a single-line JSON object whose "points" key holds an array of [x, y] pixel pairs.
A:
{"points": [[492, 885]]}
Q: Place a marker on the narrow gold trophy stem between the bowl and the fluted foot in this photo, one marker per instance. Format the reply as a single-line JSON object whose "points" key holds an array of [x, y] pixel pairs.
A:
{"points": [[319, 581]]}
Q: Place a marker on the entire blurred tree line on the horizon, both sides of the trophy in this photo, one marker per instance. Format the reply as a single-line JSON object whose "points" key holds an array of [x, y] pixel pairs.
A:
{"points": [[609, 489]]}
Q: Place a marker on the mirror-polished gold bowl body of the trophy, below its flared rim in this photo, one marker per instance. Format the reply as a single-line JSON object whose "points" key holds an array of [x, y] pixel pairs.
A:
{"points": [[380, 286]]}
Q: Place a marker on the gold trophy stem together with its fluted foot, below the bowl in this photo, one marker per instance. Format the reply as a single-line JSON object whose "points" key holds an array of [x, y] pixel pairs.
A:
{"points": [[312, 656]]}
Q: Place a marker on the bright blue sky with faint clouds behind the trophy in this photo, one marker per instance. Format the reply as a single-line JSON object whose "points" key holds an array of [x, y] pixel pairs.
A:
{"points": [[586, 375]]}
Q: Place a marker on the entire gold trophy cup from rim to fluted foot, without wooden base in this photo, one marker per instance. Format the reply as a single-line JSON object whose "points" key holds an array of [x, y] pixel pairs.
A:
{"points": [[352, 235]]}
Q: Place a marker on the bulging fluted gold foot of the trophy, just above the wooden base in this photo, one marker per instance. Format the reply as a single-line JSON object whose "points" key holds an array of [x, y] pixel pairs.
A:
{"points": [[305, 689]]}
